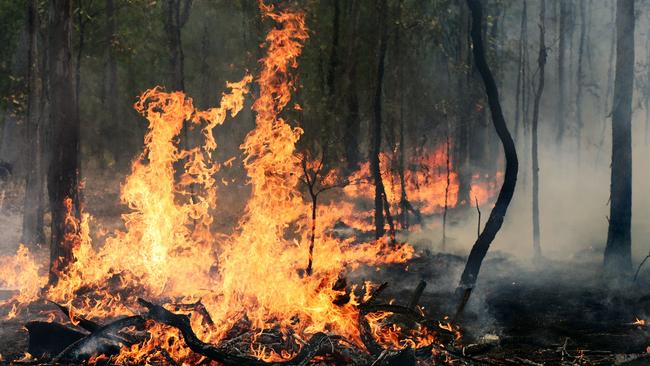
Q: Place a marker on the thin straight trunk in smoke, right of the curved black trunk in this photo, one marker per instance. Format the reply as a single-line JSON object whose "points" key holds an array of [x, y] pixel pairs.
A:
{"points": [[541, 63]]}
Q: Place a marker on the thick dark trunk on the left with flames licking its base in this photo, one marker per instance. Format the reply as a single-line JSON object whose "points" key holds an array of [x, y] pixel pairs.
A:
{"points": [[63, 167]]}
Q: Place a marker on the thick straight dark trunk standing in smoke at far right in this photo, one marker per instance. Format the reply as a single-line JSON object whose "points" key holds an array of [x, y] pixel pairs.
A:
{"points": [[618, 258]]}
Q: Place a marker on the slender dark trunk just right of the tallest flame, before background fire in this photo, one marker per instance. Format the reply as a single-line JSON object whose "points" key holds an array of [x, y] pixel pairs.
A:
{"points": [[377, 118]]}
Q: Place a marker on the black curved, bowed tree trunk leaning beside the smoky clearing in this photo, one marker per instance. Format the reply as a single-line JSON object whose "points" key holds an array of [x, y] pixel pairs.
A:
{"points": [[495, 220]]}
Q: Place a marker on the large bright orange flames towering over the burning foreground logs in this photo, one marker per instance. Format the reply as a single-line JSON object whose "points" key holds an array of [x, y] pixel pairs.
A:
{"points": [[167, 251]]}
